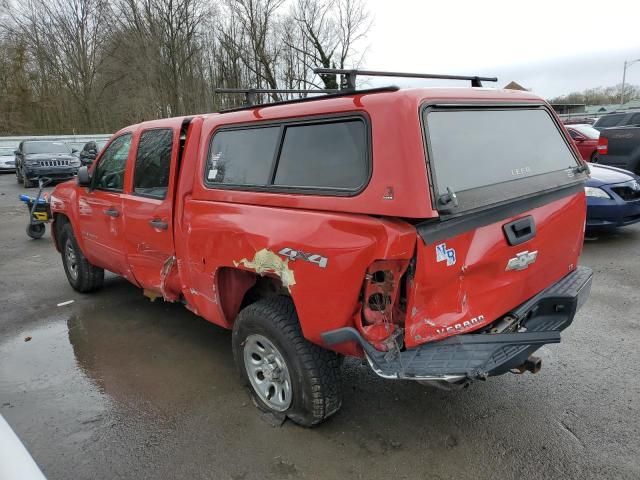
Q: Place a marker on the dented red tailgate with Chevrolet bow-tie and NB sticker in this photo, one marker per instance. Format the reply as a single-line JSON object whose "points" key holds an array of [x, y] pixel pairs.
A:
{"points": [[468, 280]]}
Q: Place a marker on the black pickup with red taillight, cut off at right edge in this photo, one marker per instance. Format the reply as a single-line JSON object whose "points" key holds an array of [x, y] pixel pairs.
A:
{"points": [[620, 147]]}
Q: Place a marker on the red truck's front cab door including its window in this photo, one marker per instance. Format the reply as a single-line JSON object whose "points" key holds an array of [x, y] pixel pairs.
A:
{"points": [[100, 209]]}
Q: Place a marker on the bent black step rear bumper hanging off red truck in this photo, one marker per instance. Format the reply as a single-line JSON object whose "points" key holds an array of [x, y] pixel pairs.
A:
{"points": [[478, 356]]}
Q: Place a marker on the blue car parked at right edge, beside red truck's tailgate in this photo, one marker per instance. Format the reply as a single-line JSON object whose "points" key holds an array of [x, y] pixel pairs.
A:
{"points": [[613, 198]]}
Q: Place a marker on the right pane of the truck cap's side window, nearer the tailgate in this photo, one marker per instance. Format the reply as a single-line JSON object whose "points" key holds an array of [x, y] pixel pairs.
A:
{"points": [[325, 156]]}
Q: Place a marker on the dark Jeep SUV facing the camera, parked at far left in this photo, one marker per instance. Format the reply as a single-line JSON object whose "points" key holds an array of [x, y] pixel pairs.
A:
{"points": [[44, 158]]}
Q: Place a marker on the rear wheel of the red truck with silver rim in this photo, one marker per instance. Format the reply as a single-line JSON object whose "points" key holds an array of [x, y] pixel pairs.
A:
{"points": [[285, 373]]}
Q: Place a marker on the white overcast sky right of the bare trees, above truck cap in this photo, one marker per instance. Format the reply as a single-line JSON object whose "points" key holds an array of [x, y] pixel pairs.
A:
{"points": [[552, 47]]}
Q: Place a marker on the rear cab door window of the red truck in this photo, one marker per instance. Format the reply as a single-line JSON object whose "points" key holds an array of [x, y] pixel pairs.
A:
{"points": [[153, 163]]}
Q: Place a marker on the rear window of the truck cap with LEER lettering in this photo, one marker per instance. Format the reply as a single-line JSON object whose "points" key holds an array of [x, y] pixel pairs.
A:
{"points": [[474, 148]]}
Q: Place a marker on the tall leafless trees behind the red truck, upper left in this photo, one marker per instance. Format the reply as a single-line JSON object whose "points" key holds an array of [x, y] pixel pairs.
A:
{"points": [[89, 66]]}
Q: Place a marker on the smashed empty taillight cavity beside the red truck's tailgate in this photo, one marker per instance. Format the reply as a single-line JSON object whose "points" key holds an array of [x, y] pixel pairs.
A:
{"points": [[382, 308]]}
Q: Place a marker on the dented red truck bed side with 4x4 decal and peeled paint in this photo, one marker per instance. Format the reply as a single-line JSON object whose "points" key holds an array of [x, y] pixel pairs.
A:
{"points": [[230, 235]]}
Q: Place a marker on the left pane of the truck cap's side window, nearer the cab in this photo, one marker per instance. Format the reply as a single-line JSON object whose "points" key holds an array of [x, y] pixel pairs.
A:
{"points": [[242, 156]]}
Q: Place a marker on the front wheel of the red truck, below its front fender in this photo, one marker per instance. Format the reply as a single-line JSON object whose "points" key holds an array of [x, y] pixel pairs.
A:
{"points": [[82, 276]]}
